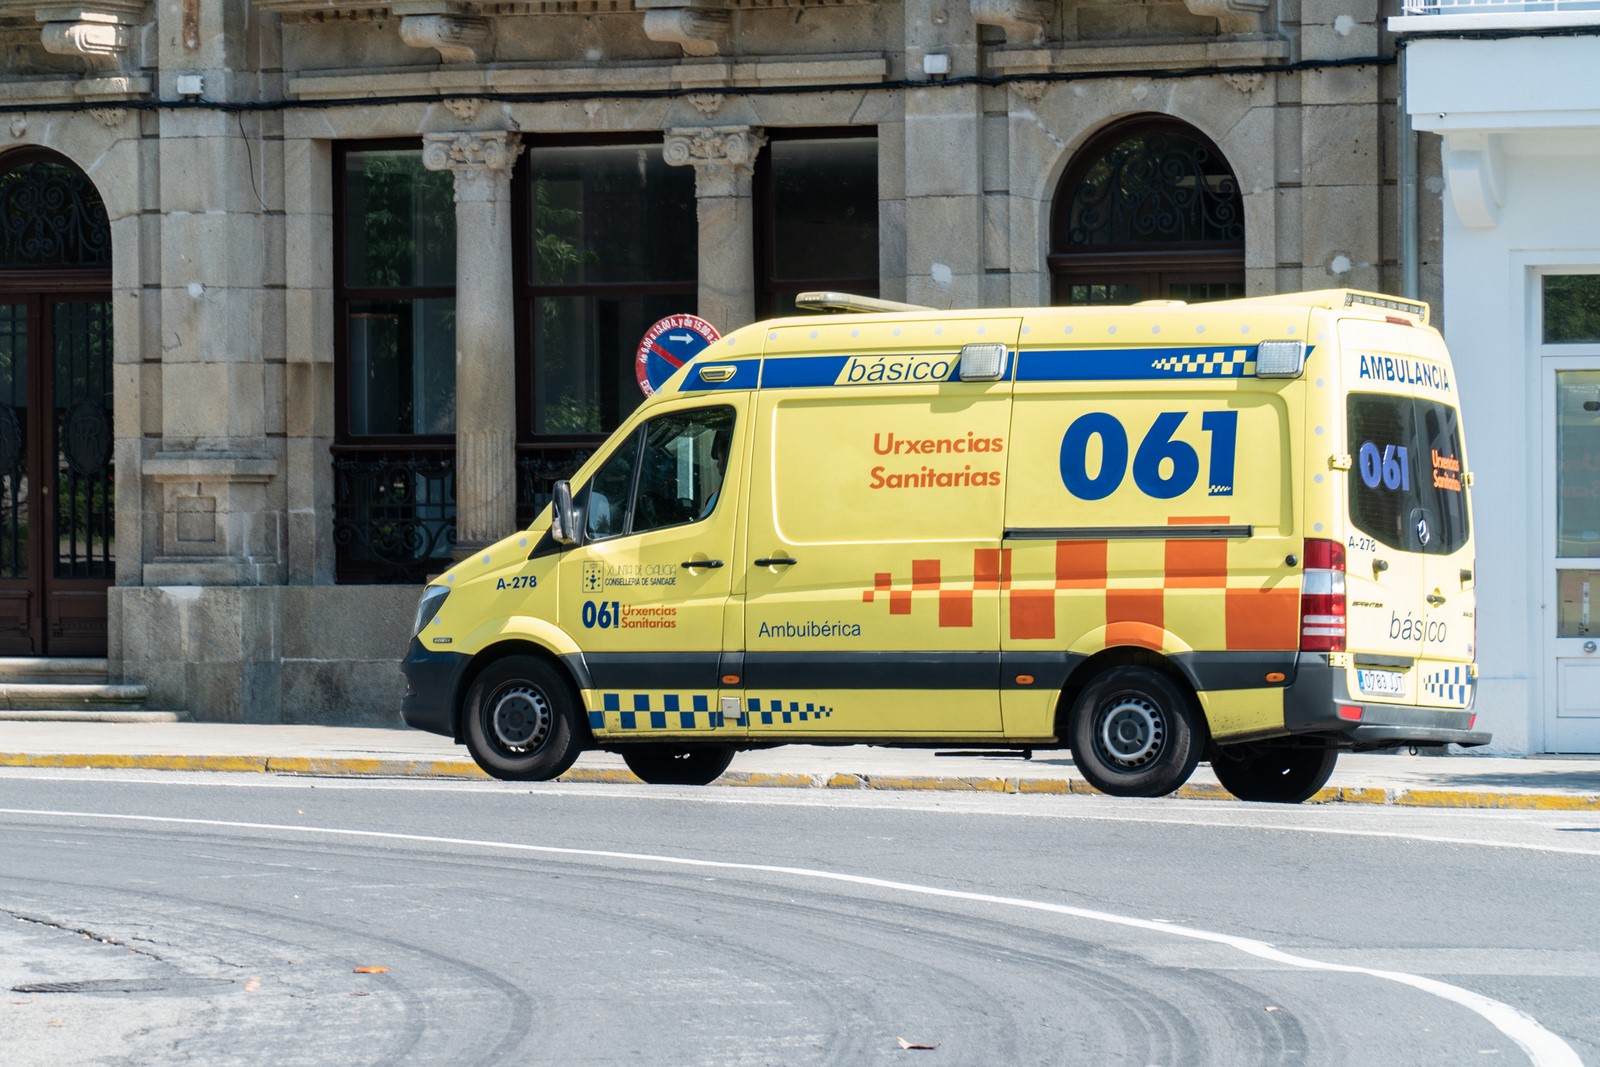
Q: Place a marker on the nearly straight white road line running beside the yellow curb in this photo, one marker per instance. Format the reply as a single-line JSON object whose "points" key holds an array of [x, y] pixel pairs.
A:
{"points": [[1199, 813]]}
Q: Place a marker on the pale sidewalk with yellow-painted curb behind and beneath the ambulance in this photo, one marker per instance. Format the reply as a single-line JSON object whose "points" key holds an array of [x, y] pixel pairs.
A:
{"points": [[1452, 781]]}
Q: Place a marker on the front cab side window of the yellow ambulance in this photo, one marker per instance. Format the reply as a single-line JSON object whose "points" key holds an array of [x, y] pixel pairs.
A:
{"points": [[666, 474]]}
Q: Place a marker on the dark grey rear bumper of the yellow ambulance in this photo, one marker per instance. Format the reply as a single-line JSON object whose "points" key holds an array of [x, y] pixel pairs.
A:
{"points": [[1311, 706]]}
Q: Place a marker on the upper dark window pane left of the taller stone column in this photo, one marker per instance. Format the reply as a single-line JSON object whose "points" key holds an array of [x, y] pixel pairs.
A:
{"points": [[399, 222]]}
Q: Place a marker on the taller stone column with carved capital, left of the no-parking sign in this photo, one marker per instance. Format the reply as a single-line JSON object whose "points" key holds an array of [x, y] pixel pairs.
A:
{"points": [[486, 314]]}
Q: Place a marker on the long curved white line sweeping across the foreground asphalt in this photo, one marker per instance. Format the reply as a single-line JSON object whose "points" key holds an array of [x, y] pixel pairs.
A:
{"points": [[1543, 1047]]}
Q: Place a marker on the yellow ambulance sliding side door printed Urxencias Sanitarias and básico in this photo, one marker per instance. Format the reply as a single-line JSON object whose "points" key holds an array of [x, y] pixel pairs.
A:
{"points": [[874, 532]]}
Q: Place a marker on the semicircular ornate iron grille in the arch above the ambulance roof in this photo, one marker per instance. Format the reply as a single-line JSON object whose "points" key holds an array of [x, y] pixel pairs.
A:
{"points": [[1156, 190]]}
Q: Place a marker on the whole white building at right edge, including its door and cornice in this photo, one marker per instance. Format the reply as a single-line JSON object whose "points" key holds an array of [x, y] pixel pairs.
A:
{"points": [[1513, 92]]}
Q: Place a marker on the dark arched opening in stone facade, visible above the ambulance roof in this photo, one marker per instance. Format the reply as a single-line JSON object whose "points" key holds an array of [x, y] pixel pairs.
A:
{"points": [[1148, 210]]}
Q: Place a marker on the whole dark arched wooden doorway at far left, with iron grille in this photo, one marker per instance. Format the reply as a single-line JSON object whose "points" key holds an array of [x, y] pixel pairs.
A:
{"points": [[57, 478]]}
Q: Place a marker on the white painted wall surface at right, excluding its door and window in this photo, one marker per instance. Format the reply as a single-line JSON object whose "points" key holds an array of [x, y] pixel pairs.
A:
{"points": [[1522, 167]]}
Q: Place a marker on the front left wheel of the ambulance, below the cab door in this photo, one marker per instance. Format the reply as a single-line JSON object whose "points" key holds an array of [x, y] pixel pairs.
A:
{"points": [[522, 721]]}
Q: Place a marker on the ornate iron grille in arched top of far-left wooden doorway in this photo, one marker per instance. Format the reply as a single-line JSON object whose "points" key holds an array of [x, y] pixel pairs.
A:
{"points": [[50, 217]]}
